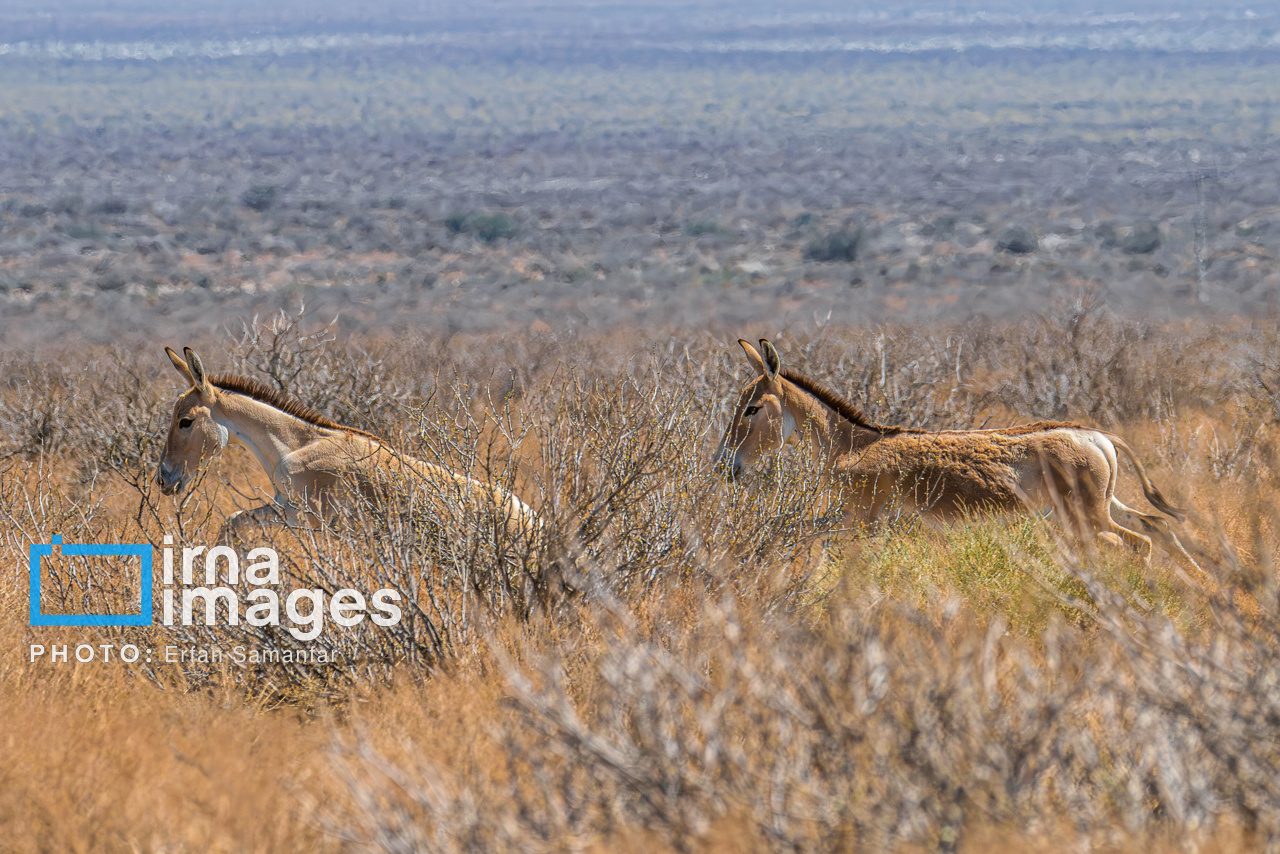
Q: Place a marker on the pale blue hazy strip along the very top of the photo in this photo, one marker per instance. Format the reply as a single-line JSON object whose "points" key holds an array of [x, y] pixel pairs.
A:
{"points": [[150, 30]]}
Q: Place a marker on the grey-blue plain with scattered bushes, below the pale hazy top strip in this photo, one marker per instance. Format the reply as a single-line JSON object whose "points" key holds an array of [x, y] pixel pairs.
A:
{"points": [[932, 157]]}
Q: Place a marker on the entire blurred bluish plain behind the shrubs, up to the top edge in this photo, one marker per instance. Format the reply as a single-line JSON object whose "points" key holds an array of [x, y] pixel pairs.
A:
{"points": [[167, 168]]}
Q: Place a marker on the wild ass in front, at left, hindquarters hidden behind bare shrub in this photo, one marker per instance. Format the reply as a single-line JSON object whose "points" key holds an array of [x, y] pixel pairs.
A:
{"points": [[316, 465]]}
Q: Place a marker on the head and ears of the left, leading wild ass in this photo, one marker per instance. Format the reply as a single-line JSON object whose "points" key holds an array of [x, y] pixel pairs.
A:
{"points": [[194, 435]]}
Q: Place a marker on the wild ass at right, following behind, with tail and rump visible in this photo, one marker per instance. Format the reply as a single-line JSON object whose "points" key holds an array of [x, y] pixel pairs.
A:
{"points": [[947, 476]]}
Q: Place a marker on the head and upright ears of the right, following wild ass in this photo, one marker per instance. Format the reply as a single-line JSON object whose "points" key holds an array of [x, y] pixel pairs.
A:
{"points": [[761, 423]]}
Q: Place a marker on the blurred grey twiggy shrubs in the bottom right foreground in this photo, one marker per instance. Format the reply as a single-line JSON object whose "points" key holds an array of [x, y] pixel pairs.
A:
{"points": [[880, 727]]}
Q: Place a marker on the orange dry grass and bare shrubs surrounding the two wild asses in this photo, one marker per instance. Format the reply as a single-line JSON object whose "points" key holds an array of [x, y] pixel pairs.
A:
{"points": [[679, 665]]}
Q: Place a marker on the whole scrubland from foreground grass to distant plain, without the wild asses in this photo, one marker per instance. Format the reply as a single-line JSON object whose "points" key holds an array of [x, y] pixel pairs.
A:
{"points": [[529, 261]]}
